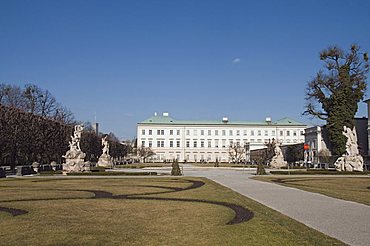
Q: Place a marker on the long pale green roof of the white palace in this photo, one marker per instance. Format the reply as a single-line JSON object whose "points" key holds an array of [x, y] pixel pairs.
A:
{"points": [[167, 120]]}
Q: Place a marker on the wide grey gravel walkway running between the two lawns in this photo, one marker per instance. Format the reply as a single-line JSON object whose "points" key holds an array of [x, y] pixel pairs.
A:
{"points": [[347, 221]]}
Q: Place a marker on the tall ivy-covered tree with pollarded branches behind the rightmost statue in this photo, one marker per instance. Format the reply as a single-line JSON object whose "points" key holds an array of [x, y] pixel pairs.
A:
{"points": [[338, 91]]}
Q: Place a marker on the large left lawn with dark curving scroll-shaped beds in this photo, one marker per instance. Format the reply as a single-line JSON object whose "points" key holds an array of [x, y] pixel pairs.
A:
{"points": [[60, 213]]}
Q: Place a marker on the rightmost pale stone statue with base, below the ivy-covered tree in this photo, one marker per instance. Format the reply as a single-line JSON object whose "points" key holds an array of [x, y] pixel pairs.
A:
{"points": [[351, 160]]}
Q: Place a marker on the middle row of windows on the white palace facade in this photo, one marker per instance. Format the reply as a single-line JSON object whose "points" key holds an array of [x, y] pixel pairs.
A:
{"points": [[202, 144]]}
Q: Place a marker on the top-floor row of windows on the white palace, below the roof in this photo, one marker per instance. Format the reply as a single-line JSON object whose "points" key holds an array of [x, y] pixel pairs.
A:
{"points": [[161, 132]]}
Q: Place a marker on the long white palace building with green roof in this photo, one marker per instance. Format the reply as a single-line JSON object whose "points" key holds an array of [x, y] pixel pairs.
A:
{"points": [[193, 141]]}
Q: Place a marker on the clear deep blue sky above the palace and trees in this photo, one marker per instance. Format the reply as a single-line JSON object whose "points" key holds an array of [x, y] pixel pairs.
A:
{"points": [[197, 59]]}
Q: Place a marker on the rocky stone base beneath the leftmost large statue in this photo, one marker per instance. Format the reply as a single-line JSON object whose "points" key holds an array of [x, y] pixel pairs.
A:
{"points": [[75, 162]]}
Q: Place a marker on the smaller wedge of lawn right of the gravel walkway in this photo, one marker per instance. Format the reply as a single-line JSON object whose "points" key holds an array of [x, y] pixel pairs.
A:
{"points": [[355, 189]]}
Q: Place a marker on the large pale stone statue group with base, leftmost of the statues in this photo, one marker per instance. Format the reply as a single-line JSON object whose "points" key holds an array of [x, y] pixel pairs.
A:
{"points": [[75, 158]]}
